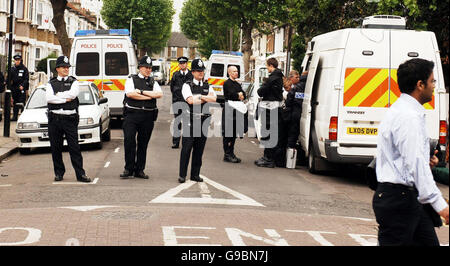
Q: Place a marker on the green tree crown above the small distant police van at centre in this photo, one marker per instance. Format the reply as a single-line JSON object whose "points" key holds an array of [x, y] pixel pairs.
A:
{"points": [[210, 33]]}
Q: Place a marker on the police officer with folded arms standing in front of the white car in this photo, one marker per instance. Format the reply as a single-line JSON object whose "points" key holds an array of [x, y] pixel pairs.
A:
{"points": [[62, 101]]}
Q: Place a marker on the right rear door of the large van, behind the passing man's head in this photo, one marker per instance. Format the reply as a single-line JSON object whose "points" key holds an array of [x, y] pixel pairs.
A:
{"points": [[404, 46]]}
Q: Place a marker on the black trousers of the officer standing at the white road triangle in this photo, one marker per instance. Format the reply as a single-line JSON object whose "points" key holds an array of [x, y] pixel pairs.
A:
{"points": [[195, 145]]}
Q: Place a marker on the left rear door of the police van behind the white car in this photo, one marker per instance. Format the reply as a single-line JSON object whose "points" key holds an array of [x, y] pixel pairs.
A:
{"points": [[88, 60]]}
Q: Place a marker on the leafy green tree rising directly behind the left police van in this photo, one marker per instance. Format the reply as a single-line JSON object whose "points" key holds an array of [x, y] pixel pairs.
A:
{"points": [[151, 33]]}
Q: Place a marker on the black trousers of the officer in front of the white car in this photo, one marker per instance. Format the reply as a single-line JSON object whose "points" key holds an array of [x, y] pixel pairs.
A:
{"points": [[58, 127]]}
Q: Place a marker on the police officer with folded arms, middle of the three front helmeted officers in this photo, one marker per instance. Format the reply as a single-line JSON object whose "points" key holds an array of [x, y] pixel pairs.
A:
{"points": [[140, 114]]}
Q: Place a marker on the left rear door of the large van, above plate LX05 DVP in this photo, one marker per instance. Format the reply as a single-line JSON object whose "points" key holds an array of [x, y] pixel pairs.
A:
{"points": [[364, 96]]}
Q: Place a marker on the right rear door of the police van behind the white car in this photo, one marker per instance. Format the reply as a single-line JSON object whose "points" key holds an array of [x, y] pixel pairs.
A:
{"points": [[116, 69]]}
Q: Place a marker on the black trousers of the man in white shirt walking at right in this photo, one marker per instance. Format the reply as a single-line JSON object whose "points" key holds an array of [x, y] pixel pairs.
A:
{"points": [[401, 218]]}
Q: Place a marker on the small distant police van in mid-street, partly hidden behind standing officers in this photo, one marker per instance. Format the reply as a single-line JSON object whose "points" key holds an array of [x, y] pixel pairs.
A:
{"points": [[217, 69]]}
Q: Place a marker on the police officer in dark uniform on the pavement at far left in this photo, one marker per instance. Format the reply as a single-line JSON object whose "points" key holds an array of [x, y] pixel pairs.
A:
{"points": [[19, 85]]}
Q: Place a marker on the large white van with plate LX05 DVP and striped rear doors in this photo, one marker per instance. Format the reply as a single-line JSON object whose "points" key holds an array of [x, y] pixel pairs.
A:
{"points": [[352, 81]]}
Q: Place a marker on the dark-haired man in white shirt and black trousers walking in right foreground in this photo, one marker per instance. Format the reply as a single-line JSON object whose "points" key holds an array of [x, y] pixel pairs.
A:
{"points": [[405, 181]]}
